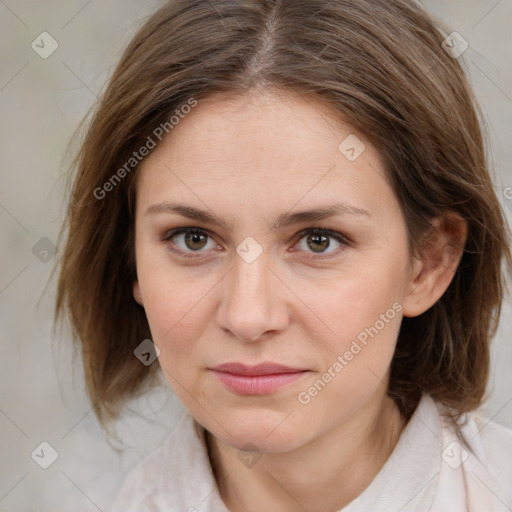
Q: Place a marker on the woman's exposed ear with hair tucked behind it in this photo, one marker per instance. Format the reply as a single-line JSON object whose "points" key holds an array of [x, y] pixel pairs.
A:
{"points": [[440, 256]]}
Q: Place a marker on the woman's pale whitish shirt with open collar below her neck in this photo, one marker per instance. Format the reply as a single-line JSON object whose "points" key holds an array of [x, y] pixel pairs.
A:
{"points": [[428, 470]]}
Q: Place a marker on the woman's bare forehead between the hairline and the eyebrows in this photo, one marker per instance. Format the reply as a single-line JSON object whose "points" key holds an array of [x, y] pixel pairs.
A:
{"points": [[272, 149]]}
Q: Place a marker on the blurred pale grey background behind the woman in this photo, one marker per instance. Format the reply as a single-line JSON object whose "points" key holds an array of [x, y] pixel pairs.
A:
{"points": [[55, 60]]}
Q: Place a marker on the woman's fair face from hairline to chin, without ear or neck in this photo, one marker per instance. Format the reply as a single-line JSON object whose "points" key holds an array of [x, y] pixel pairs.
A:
{"points": [[255, 286]]}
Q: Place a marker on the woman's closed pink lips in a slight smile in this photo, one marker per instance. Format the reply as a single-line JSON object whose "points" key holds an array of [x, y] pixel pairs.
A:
{"points": [[256, 380]]}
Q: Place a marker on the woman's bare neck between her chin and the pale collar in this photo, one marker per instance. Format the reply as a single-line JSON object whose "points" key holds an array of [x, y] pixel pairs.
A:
{"points": [[324, 474]]}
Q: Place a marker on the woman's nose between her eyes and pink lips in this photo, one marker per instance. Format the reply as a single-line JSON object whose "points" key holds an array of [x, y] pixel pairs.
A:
{"points": [[253, 305]]}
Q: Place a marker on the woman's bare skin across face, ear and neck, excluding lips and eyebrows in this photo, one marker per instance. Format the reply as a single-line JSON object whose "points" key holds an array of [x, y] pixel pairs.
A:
{"points": [[247, 160]]}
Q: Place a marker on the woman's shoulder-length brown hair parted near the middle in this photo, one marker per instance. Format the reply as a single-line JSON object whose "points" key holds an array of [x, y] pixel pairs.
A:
{"points": [[381, 68]]}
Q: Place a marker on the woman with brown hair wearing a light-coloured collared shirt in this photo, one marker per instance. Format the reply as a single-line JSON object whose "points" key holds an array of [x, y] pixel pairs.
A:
{"points": [[288, 203]]}
